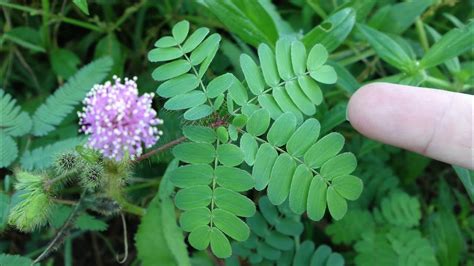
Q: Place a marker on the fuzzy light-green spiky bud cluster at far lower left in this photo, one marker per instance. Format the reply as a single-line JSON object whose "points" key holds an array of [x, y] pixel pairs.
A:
{"points": [[34, 207]]}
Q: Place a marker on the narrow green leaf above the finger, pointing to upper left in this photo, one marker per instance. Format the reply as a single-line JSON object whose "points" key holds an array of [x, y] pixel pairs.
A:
{"points": [[387, 48]]}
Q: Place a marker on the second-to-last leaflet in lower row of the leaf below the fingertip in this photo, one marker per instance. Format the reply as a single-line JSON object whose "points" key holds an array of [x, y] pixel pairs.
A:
{"points": [[316, 204]]}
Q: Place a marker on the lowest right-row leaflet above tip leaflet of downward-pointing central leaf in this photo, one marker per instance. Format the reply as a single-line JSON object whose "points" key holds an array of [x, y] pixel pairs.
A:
{"points": [[230, 224]]}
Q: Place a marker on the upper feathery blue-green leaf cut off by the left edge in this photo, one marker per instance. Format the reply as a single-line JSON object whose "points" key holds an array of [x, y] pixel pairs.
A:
{"points": [[13, 121]]}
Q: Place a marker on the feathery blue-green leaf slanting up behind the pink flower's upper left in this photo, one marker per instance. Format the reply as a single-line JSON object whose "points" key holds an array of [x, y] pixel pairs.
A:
{"points": [[67, 97]]}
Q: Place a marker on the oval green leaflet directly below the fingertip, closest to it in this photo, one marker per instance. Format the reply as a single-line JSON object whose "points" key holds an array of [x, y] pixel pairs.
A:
{"points": [[326, 148]]}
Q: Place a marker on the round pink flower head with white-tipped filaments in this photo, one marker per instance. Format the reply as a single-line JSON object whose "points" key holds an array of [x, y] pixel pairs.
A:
{"points": [[118, 120]]}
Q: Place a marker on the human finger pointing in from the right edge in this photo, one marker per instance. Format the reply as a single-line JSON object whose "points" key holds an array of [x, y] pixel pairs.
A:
{"points": [[436, 123]]}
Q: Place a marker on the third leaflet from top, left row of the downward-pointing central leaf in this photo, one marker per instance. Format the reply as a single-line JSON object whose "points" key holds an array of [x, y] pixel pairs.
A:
{"points": [[192, 175]]}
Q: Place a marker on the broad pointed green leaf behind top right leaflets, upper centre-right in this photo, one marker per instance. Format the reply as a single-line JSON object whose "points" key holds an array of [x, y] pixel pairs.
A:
{"points": [[333, 31]]}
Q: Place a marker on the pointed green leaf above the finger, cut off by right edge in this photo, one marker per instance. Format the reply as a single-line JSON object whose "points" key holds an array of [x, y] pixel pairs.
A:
{"points": [[454, 43]]}
